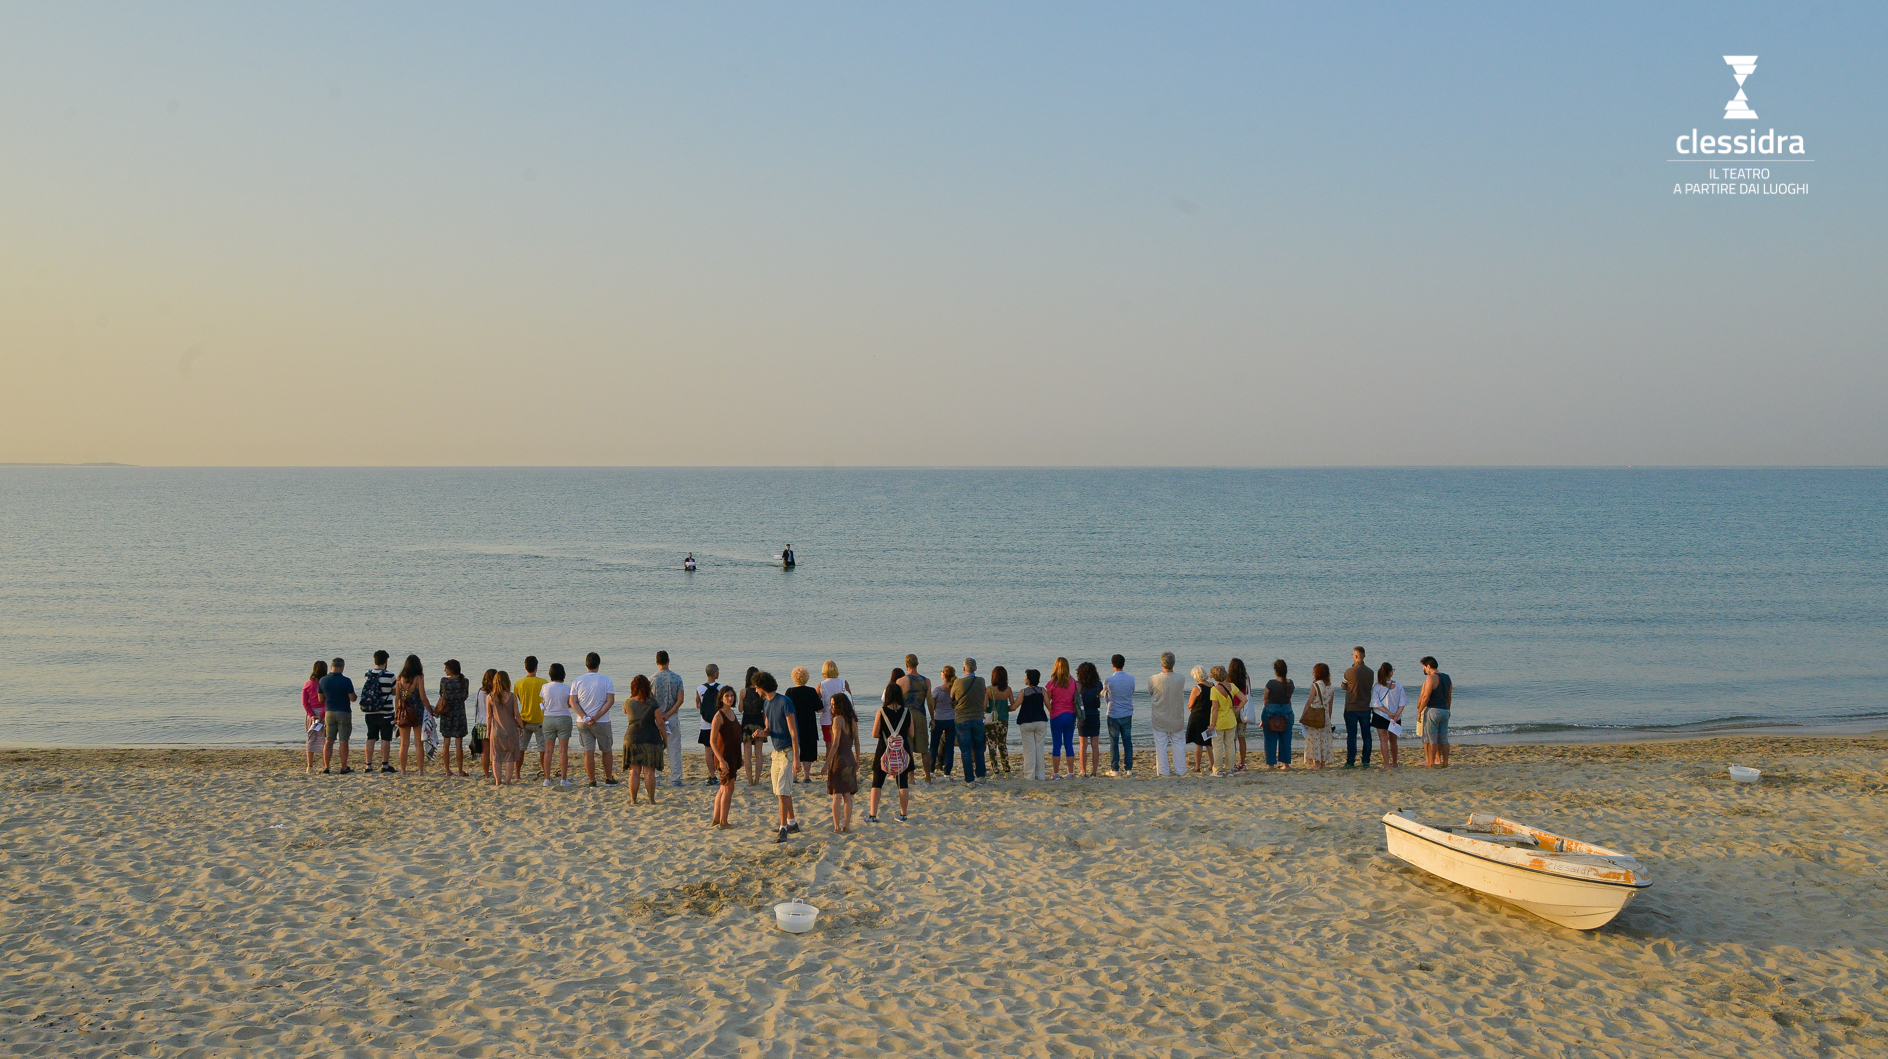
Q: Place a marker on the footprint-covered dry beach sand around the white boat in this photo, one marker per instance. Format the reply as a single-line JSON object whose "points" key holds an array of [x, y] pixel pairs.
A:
{"points": [[167, 903]]}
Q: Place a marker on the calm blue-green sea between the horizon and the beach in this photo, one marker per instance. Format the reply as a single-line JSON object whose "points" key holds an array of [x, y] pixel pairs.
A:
{"points": [[146, 607]]}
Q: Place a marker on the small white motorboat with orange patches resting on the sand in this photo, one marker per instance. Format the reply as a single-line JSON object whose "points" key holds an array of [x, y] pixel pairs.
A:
{"points": [[1568, 882]]}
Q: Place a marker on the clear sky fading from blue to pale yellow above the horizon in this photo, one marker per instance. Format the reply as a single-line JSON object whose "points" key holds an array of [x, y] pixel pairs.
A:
{"points": [[936, 235]]}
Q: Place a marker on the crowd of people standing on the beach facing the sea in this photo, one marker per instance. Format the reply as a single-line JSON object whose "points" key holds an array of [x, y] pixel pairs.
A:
{"points": [[920, 726]]}
